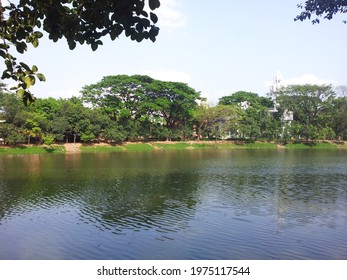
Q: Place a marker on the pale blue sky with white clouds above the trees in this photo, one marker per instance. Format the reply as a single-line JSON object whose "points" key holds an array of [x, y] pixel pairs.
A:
{"points": [[217, 47]]}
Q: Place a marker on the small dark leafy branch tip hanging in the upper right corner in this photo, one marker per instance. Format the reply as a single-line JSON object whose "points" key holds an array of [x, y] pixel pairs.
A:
{"points": [[321, 8]]}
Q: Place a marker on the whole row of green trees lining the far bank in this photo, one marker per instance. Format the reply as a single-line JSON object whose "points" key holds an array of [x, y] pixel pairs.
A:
{"points": [[132, 108]]}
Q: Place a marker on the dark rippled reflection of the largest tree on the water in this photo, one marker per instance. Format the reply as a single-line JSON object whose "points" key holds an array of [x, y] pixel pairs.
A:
{"points": [[139, 202]]}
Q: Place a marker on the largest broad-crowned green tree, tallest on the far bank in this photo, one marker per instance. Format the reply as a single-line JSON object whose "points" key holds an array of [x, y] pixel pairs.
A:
{"points": [[140, 104]]}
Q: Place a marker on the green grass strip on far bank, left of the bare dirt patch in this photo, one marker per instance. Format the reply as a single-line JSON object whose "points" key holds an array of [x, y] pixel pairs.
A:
{"points": [[31, 150]]}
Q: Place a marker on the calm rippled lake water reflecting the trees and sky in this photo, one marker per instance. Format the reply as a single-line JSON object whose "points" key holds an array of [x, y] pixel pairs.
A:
{"points": [[215, 204]]}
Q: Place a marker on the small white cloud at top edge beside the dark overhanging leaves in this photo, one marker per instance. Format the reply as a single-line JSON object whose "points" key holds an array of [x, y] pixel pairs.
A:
{"points": [[169, 15]]}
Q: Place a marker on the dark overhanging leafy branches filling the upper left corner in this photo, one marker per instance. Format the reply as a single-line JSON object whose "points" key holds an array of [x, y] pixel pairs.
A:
{"points": [[78, 21]]}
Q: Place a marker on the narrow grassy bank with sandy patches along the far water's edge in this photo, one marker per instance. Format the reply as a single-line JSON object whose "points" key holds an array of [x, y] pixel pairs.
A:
{"points": [[73, 148]]}
